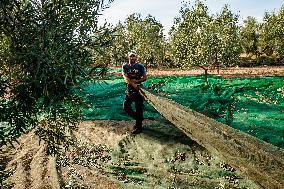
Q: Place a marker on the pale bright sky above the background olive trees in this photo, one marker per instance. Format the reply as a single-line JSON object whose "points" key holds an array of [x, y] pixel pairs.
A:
{"points": [[166, 10]]}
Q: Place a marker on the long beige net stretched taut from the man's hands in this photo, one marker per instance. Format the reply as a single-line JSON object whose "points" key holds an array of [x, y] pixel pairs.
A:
{"points": [[242, 151]]}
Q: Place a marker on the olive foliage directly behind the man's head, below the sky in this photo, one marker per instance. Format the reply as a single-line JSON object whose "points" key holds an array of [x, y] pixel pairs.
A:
{"points": [[143, 35]]}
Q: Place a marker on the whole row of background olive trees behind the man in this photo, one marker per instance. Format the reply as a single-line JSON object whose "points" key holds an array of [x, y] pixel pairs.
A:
{"points": [[198, 39]]}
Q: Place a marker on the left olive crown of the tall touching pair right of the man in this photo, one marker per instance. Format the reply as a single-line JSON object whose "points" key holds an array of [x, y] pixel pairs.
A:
{"points": [[189, 37]]}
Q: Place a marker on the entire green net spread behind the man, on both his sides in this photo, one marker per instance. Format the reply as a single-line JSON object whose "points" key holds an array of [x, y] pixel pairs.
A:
{"points": [[253, 105]]}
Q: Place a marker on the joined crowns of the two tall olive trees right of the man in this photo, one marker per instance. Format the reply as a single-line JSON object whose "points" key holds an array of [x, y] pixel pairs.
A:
{"points": [[201, 40]]}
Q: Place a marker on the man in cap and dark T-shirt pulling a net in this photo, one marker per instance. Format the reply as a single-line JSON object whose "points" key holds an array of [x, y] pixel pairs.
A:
{"points": [[134, 74]]}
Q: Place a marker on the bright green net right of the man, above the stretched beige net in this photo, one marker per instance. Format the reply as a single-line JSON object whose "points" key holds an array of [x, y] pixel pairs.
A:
{"points": [[253, 105]]}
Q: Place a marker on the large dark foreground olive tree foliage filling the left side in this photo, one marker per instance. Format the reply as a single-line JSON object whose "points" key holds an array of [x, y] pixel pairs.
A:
{"points": [[45, 50]]}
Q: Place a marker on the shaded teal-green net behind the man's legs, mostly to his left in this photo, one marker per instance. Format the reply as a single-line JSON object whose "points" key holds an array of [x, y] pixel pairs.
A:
{"points": [[105, 100]]}
